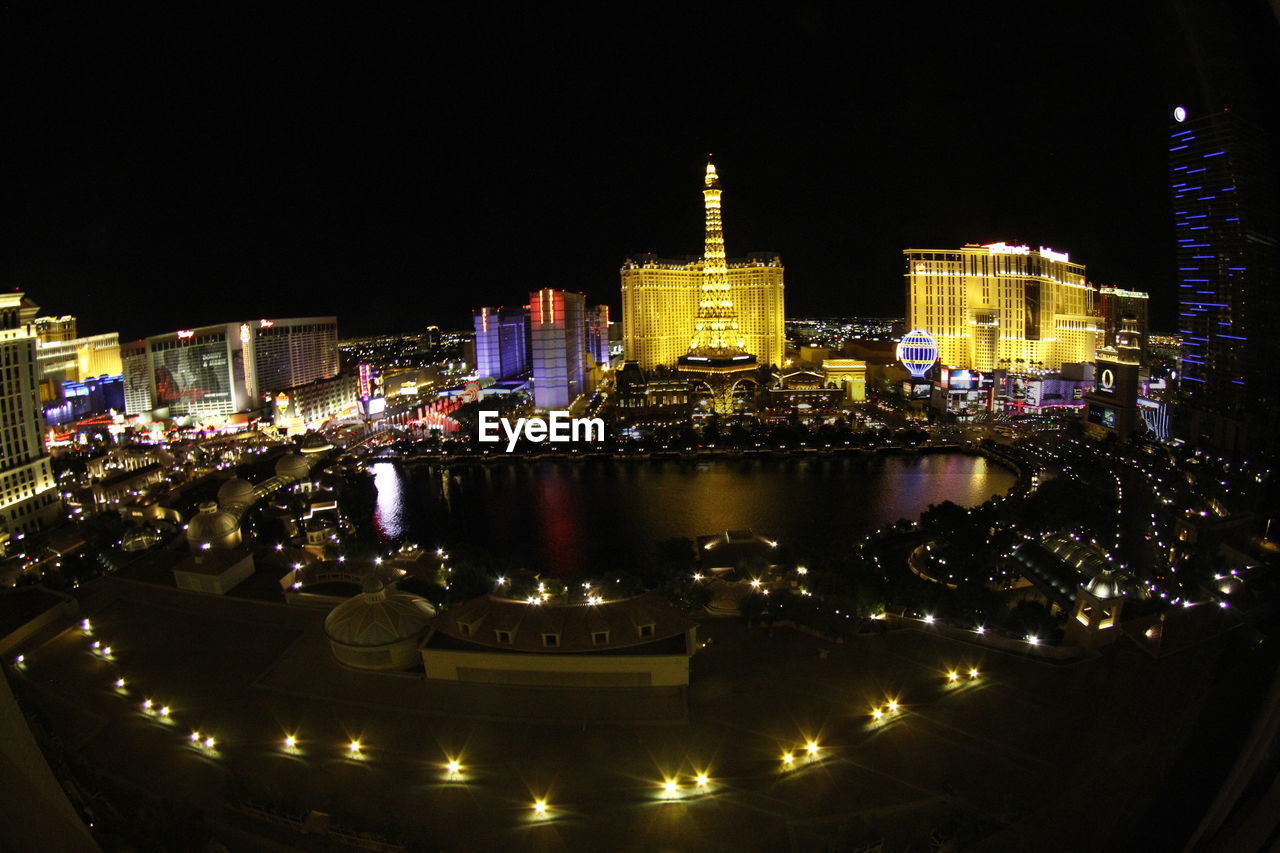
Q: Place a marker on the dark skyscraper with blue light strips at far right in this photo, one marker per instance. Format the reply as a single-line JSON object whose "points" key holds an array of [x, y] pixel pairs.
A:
{"points": [[1224, 218]]}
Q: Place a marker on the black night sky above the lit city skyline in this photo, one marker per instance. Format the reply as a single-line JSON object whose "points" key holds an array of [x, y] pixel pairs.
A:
{"points": [[226, 165]]}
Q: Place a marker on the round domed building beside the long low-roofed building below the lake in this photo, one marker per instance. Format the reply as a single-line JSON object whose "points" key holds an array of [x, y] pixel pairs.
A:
{"points": [[378, 630]]}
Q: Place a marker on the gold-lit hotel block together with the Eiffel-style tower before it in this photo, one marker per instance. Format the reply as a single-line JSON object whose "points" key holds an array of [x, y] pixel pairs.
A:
{"points": [[662, 299]]}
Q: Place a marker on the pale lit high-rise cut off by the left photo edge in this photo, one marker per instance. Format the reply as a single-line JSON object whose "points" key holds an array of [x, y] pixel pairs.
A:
{"points": [[29, 494]]}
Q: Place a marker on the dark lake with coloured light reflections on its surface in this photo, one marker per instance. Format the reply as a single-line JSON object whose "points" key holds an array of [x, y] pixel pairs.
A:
{"points": [[586, 518]]}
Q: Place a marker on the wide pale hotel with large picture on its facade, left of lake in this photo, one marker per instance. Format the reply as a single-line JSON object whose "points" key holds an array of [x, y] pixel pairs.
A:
{"points": [[228, 368]]}
